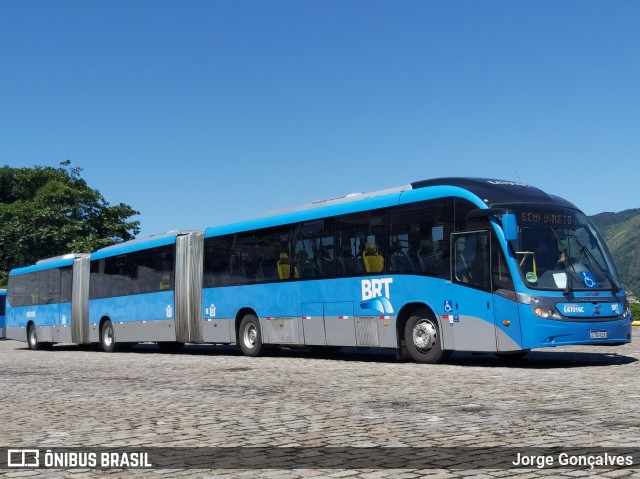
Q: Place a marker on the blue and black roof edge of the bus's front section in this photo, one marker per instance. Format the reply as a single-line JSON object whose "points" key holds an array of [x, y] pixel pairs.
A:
{"points": [[481, 191]]}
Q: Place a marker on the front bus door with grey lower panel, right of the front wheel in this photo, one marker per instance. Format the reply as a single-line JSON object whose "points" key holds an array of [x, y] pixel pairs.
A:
{"points": [[468, 312]]}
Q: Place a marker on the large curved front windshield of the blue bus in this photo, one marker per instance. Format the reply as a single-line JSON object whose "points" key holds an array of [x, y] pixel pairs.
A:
{"points": [[560, 249]]}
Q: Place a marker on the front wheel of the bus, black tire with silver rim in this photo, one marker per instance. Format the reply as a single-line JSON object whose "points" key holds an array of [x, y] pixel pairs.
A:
{"points": [[422, 339]]}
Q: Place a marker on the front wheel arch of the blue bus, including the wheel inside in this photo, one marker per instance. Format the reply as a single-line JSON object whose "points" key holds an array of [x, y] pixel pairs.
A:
{"points": [[419, 334]]}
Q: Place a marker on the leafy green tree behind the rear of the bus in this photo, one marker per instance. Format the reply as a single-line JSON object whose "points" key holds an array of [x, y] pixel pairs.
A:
{"points": [[46, 211]]}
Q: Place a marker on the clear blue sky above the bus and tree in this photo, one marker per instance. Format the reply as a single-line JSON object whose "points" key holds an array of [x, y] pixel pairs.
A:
{"points": [[200, 113]]}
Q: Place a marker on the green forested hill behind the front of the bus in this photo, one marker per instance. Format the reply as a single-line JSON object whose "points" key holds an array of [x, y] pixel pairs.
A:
{"points": [[622, 234]]}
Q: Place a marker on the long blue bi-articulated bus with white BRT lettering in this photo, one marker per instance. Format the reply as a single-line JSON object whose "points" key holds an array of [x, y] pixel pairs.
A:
{"points": [[452, 264]]}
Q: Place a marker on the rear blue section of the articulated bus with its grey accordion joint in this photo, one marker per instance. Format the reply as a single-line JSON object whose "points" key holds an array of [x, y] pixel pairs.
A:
{"points": [[46, 302]]}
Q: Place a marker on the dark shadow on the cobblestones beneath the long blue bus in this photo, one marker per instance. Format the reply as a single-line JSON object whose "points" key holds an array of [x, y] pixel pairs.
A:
{"points": [[533, 360]]}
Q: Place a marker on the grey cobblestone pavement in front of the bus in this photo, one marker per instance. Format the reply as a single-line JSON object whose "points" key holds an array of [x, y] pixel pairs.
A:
{"points": [[206, 396]]}
